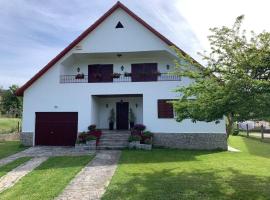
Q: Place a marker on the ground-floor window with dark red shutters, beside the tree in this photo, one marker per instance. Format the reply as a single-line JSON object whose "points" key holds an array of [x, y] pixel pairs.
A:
{"points": [[165, 108]]}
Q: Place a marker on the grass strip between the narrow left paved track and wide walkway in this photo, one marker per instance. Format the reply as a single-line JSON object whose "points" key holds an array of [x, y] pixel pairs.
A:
{"points": [[48, 180]]}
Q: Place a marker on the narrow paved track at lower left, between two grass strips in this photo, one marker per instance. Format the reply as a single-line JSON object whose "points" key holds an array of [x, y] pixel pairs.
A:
{"points": [[16, 174]]}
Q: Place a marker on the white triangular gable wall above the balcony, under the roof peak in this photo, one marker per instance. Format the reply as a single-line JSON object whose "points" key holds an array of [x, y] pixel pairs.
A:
{"points": [[133, 37]]}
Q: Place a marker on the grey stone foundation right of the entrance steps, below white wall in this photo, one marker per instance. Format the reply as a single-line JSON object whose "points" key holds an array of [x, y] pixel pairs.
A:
{"points": [[203, 141]]}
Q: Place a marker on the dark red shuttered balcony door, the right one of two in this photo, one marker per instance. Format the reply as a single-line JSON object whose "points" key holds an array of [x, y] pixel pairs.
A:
{"points": [[144, 72]]}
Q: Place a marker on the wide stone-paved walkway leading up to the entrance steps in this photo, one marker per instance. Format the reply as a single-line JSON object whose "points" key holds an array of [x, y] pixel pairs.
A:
{"points": [[91, 182]]}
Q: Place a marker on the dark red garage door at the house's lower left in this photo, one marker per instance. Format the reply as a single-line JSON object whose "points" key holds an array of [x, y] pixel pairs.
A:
{"points": [[56, 128]]}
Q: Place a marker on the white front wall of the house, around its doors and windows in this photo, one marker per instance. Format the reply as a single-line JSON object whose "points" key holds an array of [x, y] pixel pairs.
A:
{"points": [[136, 45]]}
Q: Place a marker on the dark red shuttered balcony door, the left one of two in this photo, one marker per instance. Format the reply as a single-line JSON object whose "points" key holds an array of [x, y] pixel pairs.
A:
{"points": [[100, 73]]}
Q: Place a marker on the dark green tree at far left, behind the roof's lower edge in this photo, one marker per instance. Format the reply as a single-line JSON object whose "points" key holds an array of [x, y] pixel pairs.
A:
{"points": [[10, 103]]}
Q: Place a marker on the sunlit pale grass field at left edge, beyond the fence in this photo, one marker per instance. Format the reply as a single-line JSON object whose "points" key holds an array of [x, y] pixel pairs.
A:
{"points": [[8, 125]]}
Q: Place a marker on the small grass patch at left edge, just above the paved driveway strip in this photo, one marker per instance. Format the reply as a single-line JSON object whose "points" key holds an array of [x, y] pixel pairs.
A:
{"points": [[10, 147]]}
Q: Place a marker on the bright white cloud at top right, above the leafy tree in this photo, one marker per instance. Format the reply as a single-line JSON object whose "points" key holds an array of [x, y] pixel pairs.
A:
{"points": [[202, 15]]}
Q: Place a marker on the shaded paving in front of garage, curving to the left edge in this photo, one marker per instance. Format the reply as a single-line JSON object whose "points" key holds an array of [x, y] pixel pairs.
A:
{"points": [[45, 151]]}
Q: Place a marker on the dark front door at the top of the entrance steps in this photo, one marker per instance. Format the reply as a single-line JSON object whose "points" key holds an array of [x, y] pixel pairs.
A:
{"points": [[122, 115]]}
